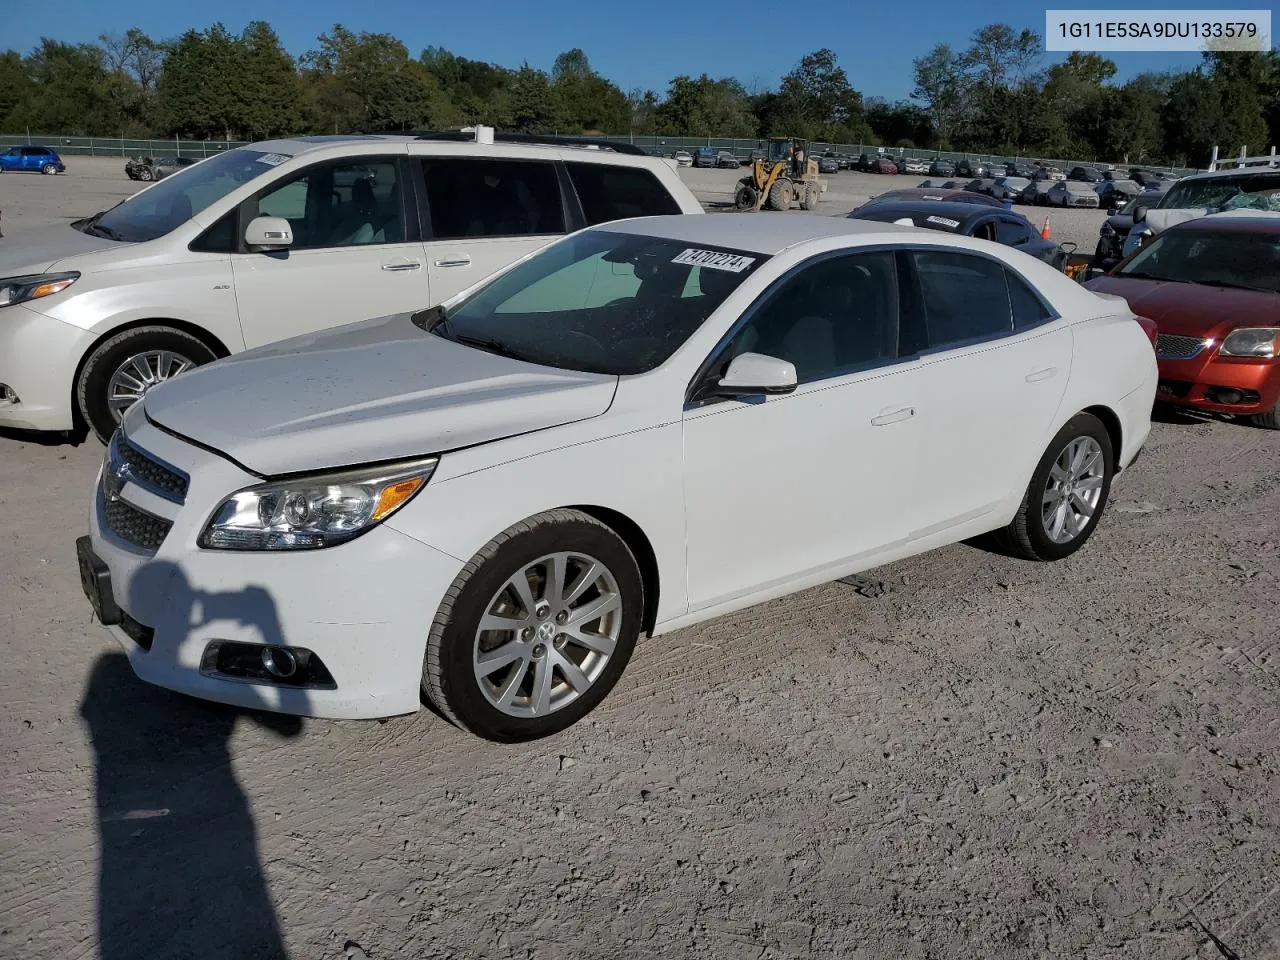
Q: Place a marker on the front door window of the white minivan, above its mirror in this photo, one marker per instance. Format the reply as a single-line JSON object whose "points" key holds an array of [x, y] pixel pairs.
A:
{"points": [[340, 205]]}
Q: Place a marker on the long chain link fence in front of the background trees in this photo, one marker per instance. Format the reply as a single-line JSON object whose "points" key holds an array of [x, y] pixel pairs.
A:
{"points": [[659, 145]]}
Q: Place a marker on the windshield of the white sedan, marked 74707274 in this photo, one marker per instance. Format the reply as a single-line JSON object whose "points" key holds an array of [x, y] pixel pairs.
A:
{"points": [[600, 303]]}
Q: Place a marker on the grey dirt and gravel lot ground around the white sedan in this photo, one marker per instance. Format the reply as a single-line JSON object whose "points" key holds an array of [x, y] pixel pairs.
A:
{"points": [[989, 760]]}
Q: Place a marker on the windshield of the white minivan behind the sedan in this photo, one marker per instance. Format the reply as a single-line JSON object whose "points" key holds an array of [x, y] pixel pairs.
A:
{"points": [[180, 196]]}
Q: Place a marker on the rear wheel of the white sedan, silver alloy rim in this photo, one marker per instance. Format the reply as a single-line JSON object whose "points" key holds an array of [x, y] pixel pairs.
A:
{"points": [[1067, 495]]}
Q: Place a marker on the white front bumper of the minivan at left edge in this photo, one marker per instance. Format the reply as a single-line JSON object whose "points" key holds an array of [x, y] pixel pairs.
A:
{"points": [[39, 358]]}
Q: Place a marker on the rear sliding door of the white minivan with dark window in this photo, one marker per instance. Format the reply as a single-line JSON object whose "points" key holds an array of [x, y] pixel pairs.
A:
{"points": [[483, 213]]}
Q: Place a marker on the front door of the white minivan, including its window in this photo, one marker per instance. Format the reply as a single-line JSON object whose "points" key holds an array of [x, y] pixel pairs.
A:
{"points": [[350, 258]]}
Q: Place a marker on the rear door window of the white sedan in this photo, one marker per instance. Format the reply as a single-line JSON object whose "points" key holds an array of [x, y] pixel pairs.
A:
{"points": [[964, 298]]}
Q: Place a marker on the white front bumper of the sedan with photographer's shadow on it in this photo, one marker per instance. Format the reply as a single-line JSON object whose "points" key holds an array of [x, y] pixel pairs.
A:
{"points": [[364, 607]]}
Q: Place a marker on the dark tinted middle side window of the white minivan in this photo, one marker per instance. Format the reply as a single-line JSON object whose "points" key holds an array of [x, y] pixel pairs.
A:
{"points": [[473, 198]]}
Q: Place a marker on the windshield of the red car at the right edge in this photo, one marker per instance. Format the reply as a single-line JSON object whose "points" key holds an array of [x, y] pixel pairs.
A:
{"points": [[1245, 260]]}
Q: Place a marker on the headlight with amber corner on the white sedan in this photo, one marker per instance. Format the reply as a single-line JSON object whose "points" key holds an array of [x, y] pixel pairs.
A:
{"points": [[312, 513]]}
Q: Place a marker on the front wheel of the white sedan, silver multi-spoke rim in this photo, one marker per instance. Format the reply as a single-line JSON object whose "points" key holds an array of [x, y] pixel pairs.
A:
{"points": [[537, 629]]}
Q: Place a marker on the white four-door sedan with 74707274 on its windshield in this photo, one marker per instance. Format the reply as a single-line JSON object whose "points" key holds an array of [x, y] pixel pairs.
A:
{"points": [[644, 426]]}
